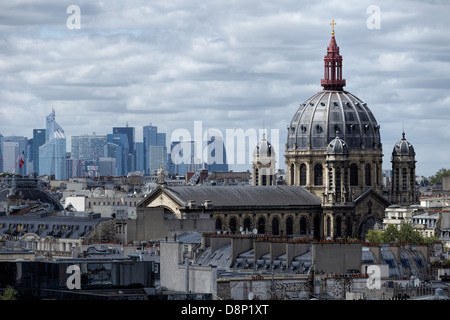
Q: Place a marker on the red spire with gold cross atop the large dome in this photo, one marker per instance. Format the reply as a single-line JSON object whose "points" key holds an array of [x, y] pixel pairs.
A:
{"points": [[333, 66]]}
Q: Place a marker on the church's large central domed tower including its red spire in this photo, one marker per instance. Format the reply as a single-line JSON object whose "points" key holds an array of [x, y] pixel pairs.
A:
{"points": [[315, 124]]}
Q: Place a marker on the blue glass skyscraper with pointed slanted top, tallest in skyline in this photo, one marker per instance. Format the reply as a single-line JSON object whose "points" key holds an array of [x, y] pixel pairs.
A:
{"points": [[52, 154]]}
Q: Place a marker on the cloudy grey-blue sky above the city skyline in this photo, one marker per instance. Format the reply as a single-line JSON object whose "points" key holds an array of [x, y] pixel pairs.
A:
{"points": [[229, 64]]}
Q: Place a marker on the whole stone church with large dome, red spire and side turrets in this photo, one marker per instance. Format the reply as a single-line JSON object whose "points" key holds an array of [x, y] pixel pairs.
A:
{"points": [[333, 158]]}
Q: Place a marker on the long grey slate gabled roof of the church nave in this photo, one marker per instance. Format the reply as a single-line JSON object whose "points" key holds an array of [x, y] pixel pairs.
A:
{"points": [[232, 196]]}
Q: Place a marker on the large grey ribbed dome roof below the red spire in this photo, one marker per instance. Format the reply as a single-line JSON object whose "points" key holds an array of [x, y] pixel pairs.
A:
{"points": [[319, 118]]}
